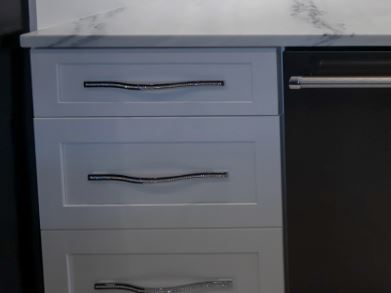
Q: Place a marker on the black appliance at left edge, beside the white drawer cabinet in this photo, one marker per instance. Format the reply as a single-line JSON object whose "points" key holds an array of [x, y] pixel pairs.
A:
{"points": [[20, 262]]}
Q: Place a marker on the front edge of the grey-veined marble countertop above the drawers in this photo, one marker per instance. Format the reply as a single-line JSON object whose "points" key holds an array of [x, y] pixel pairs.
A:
{"points": [[139, 41]]}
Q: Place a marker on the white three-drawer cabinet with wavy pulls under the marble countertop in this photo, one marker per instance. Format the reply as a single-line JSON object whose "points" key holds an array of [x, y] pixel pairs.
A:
{"points": [[171, 182]]}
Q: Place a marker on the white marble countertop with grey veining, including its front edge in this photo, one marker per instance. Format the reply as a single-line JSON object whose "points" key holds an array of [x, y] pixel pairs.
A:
{"points": [[205, 23]]}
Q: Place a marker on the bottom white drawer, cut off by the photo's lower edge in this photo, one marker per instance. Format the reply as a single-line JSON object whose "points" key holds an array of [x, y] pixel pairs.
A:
{"points": [[76, 261]]}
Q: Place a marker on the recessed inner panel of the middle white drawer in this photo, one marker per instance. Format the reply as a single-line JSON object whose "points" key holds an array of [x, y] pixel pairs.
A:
{"points": [[159, 160]]}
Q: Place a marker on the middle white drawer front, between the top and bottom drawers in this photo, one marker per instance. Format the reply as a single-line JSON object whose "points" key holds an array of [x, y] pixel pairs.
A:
{"points": [[245, 149]]}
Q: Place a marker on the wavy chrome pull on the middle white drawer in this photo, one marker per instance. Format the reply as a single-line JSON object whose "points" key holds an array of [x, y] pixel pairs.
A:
{"points": [[152, 180]]}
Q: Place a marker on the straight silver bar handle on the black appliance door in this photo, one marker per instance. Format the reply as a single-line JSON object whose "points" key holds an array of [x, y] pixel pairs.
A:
{"points": [[303, 82]]}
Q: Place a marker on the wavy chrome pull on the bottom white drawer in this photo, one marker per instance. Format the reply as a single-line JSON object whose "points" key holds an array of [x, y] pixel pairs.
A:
{"points": [[218, 284]]}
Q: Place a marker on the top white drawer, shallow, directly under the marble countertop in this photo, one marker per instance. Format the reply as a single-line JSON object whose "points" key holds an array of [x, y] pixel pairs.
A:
{"points": [[249, 77]]}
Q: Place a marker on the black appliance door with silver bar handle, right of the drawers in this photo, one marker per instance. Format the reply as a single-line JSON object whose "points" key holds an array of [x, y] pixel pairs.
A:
{"points": [[338, 171]]}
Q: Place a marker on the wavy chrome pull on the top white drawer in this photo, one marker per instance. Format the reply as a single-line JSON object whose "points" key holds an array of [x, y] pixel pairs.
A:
{"points": [[152, 86]]}
